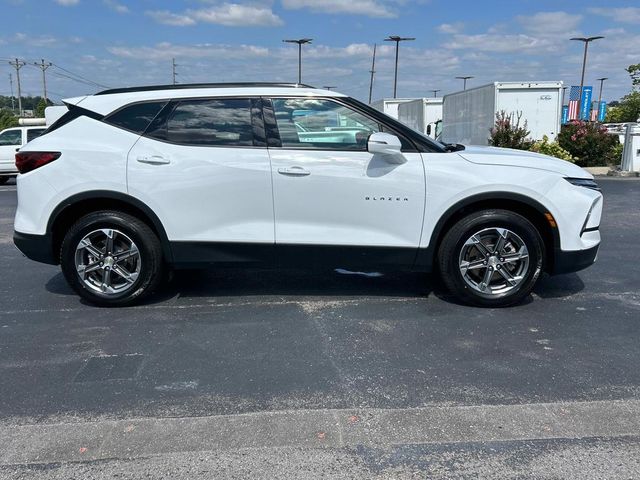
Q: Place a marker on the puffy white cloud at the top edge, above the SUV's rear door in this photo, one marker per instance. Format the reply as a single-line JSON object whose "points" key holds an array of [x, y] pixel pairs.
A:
{"points": [[227, 14]]}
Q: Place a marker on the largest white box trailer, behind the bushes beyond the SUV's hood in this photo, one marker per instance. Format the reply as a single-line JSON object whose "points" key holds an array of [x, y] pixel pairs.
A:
{"points": [[469, 115]]}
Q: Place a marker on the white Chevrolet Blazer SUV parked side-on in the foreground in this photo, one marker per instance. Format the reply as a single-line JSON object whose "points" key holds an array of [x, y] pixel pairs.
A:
{"points": [[131, 182]]}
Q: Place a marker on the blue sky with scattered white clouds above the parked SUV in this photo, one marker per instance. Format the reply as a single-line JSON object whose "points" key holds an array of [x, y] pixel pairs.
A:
{"points": [[94, 44]]}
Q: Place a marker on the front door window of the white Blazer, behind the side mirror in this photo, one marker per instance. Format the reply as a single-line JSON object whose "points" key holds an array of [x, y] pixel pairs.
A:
{"points": [[324, 124]]}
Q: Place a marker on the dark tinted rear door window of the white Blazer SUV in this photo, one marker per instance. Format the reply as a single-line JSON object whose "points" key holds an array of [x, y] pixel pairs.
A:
{"points": [[220, 122]]}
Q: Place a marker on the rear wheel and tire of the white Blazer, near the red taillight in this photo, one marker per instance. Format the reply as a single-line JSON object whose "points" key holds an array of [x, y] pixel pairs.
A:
{"points": [[116, 272]]}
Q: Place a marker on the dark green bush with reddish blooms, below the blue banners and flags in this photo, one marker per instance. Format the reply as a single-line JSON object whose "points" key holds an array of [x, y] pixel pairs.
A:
{"points": [[589, 143]]}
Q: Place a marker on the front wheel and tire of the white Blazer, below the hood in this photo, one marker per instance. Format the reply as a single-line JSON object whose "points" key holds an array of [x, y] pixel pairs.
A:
{"points": [[475, 271]]}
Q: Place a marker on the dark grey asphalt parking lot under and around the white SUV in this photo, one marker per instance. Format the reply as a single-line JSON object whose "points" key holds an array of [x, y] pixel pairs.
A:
{"points": [[296, 374]]}
